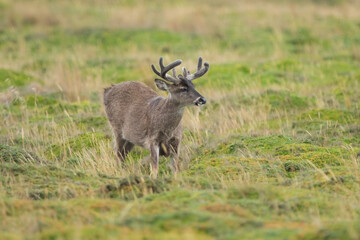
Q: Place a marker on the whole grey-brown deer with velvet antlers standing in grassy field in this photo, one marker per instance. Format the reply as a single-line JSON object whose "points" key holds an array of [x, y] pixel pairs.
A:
{"points": [[139, 116]]}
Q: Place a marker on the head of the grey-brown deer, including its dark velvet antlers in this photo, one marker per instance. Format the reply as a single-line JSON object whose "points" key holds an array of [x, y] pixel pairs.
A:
{"points": [[180, 87]]}
